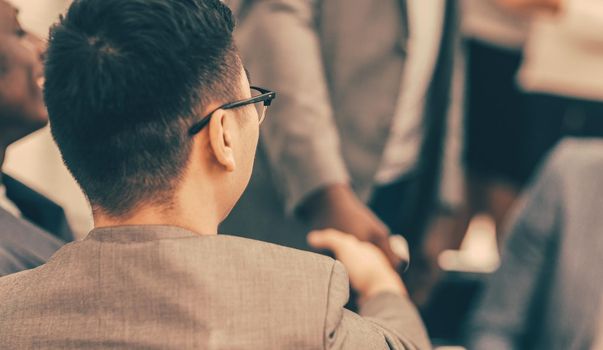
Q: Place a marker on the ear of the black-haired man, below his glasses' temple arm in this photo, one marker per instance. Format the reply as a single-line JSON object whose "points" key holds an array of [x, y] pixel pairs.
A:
{"points": [[220, 140]]}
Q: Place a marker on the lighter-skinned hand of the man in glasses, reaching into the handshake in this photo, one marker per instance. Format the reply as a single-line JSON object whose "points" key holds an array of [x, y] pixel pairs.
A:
{"points": [[369, 270]]}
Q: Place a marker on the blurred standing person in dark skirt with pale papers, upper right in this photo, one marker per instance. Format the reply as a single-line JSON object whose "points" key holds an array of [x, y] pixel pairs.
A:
{"points": [[535, 75]]}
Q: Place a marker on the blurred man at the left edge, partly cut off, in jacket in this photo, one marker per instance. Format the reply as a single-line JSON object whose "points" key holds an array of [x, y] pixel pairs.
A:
{"points": [[32, 227]]}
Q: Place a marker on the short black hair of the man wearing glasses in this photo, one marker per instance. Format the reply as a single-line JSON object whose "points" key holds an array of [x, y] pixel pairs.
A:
{"points": [[125, 79]]}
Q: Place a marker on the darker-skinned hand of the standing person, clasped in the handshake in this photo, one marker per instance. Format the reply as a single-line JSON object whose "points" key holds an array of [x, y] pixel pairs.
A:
{"points": [[339, 208]]}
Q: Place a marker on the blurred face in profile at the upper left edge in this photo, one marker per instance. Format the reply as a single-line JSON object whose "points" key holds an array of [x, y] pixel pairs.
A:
{"points": [[22, 108]]}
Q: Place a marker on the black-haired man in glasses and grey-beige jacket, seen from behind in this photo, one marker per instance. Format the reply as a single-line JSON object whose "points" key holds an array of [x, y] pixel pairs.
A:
{"points": [[153, 114]]}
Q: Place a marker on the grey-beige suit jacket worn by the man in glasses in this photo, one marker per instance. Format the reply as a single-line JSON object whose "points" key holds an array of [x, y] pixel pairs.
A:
{"points": [[159, 287]]}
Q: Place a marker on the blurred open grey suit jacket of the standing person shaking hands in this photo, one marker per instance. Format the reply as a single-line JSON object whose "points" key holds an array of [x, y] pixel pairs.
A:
{"points": [[337, 67]]}
